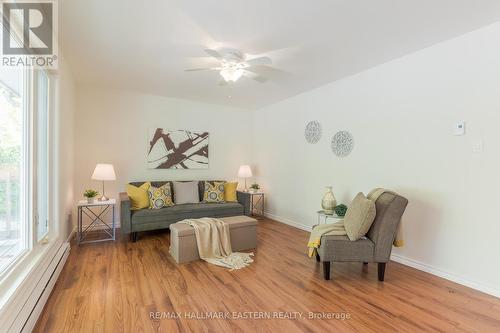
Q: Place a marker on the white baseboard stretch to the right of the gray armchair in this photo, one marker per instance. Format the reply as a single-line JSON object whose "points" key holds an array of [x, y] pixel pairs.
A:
{"points": [[492, 290]]}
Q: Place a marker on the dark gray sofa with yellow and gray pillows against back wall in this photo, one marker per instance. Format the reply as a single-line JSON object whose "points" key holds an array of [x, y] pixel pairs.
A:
{"points": [[133, 221]]}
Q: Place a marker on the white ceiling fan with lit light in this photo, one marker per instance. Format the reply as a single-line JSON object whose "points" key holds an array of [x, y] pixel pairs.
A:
{"points": [[233, 65]]}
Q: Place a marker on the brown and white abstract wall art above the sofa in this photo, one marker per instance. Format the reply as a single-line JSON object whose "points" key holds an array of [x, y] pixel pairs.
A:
{"points": [[177, 149]]}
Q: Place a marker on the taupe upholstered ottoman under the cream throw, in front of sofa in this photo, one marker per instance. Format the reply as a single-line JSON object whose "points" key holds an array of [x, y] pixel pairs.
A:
{"points": [[183, 248]]}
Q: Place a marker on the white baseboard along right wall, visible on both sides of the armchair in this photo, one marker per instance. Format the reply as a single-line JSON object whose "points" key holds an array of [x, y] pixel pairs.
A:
{"points": [[491, 290]]}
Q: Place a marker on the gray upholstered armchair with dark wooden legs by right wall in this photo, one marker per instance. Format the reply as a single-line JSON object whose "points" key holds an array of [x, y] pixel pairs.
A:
{"points": [[377, 245]]}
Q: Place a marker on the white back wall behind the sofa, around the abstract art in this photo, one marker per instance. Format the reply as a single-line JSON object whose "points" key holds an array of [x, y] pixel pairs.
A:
{"points": [[112, 127]]}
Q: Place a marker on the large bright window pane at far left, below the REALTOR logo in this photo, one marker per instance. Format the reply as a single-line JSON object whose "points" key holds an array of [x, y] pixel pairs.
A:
{"points": [[14, 166]]}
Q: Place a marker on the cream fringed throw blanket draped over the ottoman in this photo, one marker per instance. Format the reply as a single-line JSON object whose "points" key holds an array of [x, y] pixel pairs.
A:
{"points": [[214, 243]]}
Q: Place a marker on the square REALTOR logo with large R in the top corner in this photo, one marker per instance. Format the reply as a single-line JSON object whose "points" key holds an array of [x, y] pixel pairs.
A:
{"points": [[29, 33]]}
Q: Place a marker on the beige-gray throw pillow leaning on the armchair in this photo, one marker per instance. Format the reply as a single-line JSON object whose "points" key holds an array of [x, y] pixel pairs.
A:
{"points": [[359, 217]]}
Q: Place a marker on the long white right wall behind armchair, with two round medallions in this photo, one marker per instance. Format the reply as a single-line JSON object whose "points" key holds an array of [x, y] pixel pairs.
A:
{"points": [[401, 115]]}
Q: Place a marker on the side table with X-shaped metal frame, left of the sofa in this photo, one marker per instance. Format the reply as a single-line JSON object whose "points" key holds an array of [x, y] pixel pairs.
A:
{"points": [[97, 220]]}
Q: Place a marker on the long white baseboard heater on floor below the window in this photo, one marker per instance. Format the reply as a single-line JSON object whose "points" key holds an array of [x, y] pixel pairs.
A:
{"points": [[32, 308]]}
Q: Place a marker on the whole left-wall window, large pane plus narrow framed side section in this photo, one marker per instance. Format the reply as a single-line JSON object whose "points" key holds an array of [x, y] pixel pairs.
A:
{"points": [[24, 162]]}
